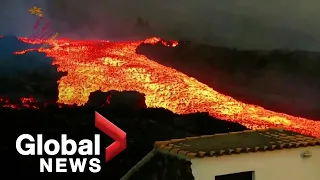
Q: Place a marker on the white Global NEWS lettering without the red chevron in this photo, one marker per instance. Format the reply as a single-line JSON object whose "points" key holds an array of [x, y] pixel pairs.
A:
{"points": [[86, 148]]}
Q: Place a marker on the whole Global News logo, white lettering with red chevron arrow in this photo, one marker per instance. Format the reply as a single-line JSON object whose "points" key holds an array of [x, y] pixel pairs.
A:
{"points": [[85, 147]]}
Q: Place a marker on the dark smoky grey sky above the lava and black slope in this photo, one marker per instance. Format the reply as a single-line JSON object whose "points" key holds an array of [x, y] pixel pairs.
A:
{"points": [[246, 24]]}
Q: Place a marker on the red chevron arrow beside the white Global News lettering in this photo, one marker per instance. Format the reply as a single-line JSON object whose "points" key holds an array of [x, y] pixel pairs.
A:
{"points": [[115, 133]]}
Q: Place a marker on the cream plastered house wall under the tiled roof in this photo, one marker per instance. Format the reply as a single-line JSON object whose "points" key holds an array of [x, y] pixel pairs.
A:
{"points": [[273, 165]]}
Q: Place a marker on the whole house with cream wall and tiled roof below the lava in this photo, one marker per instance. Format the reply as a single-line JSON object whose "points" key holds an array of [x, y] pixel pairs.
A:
{"points": [[270, 154]]}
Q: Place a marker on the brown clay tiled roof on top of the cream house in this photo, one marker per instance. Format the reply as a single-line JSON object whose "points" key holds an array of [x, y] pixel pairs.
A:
{"points": [[236, 142]]}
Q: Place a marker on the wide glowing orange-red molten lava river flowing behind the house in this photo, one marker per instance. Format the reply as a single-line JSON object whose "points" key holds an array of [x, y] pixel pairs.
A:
{"points": [[94, 65]]}
